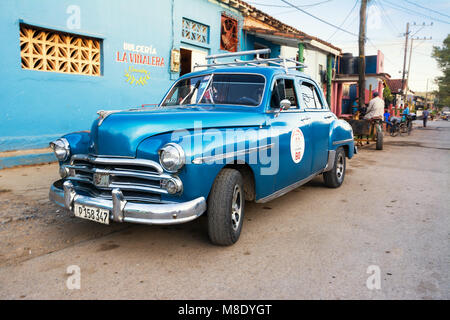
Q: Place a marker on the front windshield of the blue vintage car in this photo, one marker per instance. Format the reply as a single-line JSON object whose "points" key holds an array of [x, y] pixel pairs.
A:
{"points": [[230, 89]]}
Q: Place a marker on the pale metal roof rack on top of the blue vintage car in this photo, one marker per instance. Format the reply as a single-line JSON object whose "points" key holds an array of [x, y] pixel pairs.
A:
{"points": [[257, 61]]}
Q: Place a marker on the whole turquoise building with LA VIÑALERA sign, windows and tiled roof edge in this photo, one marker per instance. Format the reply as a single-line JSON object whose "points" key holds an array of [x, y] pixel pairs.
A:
{"points": [[62, 61]]}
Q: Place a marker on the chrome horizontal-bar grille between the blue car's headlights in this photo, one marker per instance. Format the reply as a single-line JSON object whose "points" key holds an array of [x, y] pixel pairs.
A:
{"points": [[139, 178]]}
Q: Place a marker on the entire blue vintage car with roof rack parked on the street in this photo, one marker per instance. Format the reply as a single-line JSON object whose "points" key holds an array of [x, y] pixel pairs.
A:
{"points": [[231, 133]]}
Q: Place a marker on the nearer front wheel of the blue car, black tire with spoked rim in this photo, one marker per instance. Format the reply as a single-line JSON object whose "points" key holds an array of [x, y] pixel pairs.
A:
{"points": [[226, 208]]}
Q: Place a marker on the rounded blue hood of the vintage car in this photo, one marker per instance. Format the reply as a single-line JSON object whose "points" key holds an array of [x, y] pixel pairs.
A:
{"points": [[120, 133]]}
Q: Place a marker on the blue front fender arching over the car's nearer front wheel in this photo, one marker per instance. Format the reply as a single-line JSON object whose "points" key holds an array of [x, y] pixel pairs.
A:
{"points": [[199, 177]]}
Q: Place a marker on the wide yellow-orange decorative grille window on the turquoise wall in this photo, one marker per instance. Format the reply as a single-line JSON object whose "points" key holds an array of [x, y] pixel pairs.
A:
{"points": [[54, 51]]}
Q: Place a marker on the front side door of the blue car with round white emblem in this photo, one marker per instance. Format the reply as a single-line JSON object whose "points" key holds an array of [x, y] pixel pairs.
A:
{"points": [[293, 130]]}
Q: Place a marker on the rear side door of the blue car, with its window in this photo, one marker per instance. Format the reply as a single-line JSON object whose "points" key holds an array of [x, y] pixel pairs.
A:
{"points": [[321, 118]]}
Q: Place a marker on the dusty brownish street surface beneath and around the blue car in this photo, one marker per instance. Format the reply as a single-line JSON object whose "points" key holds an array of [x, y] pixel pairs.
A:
{"points": [[313, 243]]}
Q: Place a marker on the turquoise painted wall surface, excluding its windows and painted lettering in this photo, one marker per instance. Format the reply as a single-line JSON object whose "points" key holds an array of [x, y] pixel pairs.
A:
{"points": [[37, 107]]}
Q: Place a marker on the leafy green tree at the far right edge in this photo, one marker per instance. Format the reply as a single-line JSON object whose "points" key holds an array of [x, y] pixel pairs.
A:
{"points": [[442, 55]]}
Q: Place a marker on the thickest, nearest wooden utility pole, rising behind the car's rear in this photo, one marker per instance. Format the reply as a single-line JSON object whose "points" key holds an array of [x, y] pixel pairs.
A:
{"points": [[362, 56]]}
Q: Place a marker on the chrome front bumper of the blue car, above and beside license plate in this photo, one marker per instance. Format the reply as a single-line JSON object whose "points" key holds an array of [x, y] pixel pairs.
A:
{"points": [[123, 211]]}
